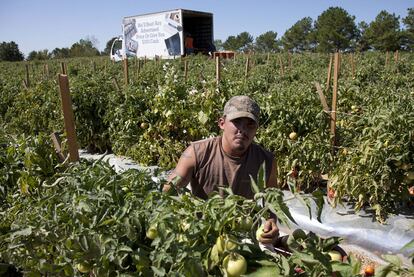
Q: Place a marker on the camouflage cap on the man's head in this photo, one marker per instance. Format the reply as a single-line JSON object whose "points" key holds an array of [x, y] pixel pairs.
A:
{"points": [[242, 106]]}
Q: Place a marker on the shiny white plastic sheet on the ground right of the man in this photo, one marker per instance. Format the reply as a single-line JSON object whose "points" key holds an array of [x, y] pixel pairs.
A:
{"points": [[356, 228]]}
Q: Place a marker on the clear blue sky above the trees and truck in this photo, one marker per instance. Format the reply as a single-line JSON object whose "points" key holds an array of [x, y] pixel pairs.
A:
{"points": [[47, 24]]}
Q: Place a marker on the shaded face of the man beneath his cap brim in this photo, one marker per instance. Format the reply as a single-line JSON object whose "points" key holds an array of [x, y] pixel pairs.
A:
{"points": [[238, 134]]}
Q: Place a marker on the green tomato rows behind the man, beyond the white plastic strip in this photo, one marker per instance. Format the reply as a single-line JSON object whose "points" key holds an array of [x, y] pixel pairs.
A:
{"points": [[154, 118]]}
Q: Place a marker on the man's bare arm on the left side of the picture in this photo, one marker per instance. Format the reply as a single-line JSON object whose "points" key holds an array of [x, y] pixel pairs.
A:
{"points": [[183, 170]]}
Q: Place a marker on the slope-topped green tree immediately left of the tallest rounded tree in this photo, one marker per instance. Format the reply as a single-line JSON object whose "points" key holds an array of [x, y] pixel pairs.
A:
{"points": [[298, 37]]}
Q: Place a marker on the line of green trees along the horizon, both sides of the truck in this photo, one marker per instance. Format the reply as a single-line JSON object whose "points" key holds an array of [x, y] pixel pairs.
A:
{"points": [[334, 30]]}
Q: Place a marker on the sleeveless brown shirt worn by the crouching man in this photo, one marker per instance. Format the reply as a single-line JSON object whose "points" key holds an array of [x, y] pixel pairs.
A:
{"points": [[215, 168]]}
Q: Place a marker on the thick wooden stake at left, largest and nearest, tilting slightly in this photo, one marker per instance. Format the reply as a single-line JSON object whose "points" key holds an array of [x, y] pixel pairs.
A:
{"points": [[68, 117]]}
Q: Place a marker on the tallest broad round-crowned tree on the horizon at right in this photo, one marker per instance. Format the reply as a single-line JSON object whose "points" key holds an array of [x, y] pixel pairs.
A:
{"points": [[335, 30]]}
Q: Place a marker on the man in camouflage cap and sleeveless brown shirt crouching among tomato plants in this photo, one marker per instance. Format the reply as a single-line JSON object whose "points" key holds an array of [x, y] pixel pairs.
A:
{"points": [[230, 159]]}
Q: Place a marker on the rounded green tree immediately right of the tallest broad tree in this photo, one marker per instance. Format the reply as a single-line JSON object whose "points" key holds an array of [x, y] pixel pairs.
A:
{"points": [[384, 32]]}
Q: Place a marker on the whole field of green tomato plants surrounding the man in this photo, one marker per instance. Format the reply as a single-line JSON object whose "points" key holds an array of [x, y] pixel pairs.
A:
{"points": [[65, 219]]}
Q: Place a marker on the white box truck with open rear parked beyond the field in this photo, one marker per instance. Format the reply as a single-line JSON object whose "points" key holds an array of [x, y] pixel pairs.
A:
{"points": [[163, 34]]}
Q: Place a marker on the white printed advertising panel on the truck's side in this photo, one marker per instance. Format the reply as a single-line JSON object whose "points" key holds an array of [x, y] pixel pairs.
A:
{"points": [[152, 34]]}
